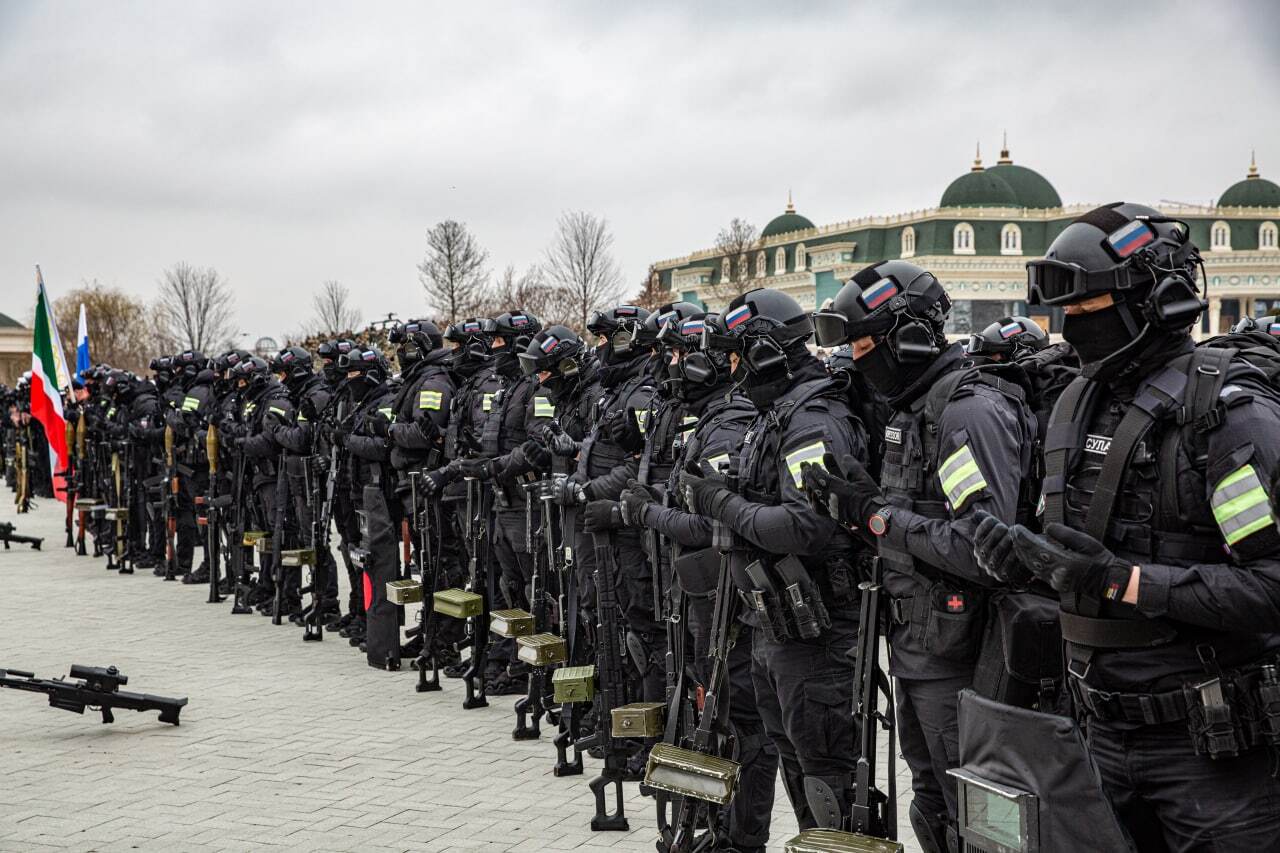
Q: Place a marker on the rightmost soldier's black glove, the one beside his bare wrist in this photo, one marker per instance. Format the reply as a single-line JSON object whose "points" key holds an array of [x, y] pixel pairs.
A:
{"points": [[1072, 562]]}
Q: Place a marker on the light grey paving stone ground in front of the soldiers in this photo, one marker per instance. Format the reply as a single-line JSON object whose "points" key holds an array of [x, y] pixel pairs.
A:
{"points": [[285, 745]]}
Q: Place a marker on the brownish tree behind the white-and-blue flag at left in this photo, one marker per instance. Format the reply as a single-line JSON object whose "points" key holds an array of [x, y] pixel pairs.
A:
{"points": [[118, 330]]}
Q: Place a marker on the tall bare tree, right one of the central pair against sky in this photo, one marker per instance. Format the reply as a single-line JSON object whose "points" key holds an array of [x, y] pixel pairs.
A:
{"points": [[580, 263]]}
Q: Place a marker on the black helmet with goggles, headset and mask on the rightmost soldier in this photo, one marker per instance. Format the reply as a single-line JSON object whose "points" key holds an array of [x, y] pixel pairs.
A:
{"points": [[1145, 262]]}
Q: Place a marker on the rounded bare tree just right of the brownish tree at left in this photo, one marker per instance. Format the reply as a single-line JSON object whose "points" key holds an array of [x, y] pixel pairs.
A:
{"points": [[194, 309]]}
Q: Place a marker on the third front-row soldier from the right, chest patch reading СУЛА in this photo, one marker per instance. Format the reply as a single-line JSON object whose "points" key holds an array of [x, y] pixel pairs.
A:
{"points": [[801, 667]]}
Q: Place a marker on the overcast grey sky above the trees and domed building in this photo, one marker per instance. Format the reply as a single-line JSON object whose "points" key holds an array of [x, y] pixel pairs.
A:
{"points": [[291, 143]]}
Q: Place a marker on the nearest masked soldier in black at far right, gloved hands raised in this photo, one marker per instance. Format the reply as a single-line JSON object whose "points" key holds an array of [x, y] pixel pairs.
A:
{"points": [[1160, 540]]}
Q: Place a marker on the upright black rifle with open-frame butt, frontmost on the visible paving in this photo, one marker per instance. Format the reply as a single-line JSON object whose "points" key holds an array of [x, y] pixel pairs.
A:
{"points": [[614, 690]]}
